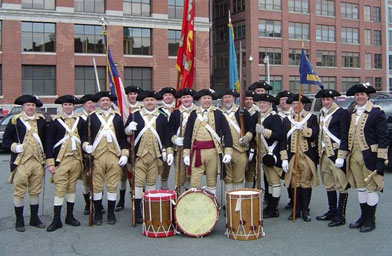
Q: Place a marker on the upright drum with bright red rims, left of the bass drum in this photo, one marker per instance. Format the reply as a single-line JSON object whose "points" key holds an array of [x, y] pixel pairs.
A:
{"points": [[158, 213]]}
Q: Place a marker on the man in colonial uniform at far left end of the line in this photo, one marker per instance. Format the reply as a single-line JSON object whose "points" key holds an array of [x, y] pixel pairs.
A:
{"points": [[24, 136]]}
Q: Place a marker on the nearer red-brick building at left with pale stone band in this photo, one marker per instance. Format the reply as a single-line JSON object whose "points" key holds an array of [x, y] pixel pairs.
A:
{"points": [[48, 46]]}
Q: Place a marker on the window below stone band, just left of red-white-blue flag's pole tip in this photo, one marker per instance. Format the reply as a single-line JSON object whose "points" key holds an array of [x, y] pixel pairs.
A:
{"points": [[88, 39]]}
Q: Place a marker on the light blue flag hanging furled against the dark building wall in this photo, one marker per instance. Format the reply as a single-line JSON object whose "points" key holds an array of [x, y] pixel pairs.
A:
{"points": [[233, 73]]}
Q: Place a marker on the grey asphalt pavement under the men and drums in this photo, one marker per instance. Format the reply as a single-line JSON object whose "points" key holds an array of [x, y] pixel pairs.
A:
{"points": [[282, 237]]}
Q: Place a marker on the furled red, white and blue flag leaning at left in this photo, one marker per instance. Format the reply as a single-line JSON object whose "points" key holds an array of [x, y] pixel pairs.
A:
{"points": [[115, 84]]}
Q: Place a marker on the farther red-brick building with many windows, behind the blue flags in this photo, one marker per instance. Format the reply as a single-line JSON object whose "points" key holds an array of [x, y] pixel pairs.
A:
{"points": [[345, 40]]}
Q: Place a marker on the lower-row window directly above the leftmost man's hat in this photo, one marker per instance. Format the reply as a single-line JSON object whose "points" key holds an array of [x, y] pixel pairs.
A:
{"points": [[39, 80]]}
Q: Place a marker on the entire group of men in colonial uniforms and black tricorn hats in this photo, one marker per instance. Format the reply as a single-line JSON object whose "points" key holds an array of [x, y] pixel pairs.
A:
{"points": [[270, 137]]}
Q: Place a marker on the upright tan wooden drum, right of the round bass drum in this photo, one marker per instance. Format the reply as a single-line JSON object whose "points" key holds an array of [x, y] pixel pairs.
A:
{"points": [[244, 210]]}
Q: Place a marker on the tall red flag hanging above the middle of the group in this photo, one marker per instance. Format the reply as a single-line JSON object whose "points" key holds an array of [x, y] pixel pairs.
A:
{"points": [[186, 50]]}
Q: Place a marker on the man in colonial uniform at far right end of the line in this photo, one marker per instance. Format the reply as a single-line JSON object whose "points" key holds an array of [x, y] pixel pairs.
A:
{"points": [[368, 146]]}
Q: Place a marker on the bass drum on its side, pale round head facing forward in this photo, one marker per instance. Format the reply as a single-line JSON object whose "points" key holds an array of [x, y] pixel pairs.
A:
{"points": [[196, 212]]}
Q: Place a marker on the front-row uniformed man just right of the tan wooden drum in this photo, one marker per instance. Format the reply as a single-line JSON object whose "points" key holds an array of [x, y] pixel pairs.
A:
{"points": [[270, 133]]}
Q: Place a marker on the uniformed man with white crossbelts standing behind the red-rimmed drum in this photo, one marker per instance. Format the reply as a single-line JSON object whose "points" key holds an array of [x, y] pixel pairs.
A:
{"points": [[151, 137]]}
